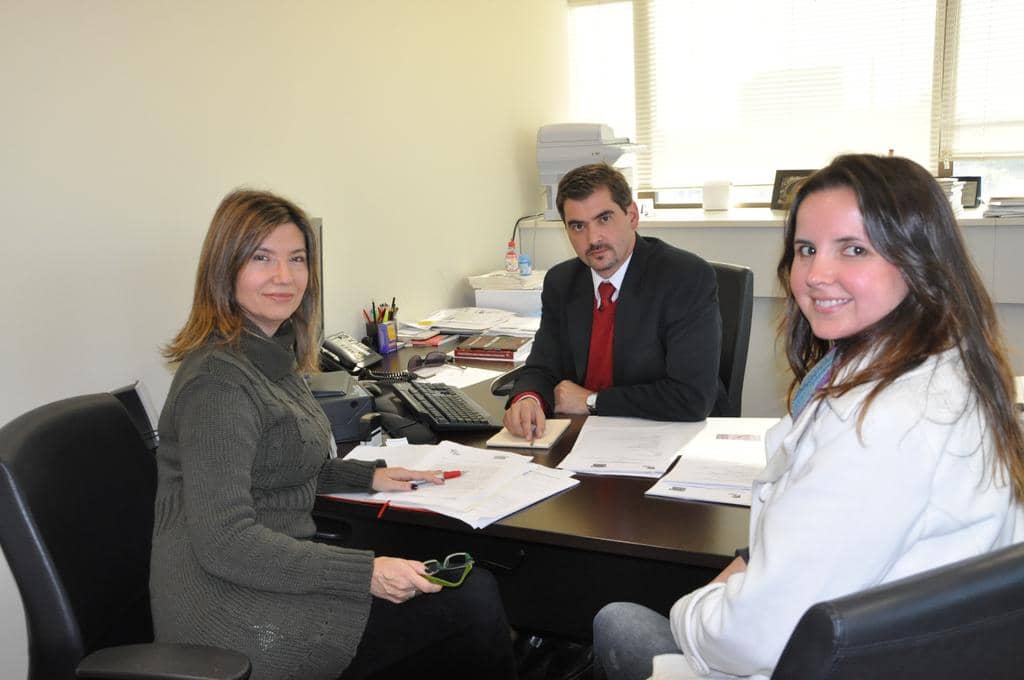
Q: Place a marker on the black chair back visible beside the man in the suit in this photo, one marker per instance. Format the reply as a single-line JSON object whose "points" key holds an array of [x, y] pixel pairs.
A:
{"points": [[736, 305]]}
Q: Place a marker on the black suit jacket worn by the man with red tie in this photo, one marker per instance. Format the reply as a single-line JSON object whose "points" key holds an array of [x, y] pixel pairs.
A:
{"points": [[667, 343]]}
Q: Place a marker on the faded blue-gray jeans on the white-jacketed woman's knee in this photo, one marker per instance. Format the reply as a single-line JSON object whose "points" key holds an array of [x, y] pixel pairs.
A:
{"points": [[627, 637]]}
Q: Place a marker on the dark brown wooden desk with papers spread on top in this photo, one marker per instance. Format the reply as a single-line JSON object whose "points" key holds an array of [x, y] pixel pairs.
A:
{"points": [[560, 562]]}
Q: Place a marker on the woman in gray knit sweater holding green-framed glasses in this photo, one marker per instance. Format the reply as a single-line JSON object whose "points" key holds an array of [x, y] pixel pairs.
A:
{"points": [[244, 451]]}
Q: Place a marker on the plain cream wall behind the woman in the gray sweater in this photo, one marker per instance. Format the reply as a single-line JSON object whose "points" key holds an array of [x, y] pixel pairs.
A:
{"points": [[407, 126]]}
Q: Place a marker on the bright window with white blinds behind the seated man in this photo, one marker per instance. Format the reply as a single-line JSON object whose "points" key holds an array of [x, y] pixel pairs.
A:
{"points": [[738, 90]]}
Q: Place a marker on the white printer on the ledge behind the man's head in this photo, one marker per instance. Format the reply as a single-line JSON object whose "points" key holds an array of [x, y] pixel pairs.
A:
{"points": [[563, 147]]}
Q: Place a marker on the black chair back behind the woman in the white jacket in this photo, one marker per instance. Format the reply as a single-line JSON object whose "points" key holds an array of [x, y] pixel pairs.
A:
{"points": [[964, 620]]}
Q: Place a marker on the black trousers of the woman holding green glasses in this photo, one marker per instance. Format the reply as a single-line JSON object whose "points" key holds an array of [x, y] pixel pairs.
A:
{"points": [[457, 633]]}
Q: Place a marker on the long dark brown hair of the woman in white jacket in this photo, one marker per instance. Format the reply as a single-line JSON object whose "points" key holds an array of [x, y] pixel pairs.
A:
{"points": [[911, 224]]}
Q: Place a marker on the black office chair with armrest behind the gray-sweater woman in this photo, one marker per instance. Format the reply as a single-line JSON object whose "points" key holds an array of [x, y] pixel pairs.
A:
{"points": [[77, 490]]}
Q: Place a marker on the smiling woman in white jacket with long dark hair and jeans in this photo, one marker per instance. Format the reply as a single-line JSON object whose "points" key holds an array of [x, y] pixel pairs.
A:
{"points": [[902, 451]]}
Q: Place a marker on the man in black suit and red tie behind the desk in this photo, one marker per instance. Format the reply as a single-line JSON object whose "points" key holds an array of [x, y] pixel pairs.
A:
{"points": [[630, 328]]}
